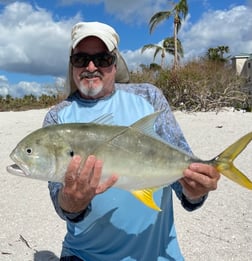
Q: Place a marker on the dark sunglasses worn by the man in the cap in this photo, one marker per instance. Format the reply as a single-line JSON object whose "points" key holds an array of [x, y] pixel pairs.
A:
{"points": [[80, 60]]}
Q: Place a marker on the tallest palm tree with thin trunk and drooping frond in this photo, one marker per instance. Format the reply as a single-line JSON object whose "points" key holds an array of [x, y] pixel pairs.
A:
{"points": [[178, 10]]}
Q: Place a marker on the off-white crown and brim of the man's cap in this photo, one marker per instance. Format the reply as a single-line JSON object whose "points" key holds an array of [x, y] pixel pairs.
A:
{"points": [[103, 31]]}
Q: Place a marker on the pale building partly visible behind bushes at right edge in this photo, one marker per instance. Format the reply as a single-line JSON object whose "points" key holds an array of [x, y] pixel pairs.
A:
{"points": [[242, 64]]}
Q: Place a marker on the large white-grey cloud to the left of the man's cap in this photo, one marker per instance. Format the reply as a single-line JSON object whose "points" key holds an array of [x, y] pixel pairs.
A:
{"points": [[32, 42]]}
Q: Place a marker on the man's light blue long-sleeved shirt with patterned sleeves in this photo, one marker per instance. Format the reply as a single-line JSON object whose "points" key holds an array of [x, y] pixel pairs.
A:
{"points": [[117, 226]]}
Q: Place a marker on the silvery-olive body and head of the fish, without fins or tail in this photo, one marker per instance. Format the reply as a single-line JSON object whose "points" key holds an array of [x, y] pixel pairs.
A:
{"points": [[139, 159]]}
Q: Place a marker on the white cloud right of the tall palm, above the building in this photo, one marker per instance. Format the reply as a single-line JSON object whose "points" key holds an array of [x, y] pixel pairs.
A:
{"points": [[229, 27]]}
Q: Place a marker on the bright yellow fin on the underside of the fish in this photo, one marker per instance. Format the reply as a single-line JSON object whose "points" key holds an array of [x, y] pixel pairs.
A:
{"points": [[146, 197]]}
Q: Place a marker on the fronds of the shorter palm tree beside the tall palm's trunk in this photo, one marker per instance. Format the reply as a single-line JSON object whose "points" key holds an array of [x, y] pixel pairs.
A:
{"points": [[166, 47]]}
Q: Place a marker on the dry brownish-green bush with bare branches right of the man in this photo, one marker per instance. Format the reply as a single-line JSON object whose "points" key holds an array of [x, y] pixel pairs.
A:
{"points": [[202, 85]]}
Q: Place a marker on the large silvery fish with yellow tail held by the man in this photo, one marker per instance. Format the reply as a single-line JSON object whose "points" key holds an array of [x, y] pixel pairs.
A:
{"points": [[143, 160]]}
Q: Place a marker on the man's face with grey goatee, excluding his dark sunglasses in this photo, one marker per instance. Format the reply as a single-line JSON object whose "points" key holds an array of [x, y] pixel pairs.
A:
{"points": [[93, 81]]}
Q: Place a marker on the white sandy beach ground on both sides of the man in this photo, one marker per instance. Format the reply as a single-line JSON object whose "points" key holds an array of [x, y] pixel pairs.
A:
{"points": [[220, 231]]}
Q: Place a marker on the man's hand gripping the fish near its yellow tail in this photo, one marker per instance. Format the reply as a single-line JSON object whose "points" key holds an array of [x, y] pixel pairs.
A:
{"points": [[198, 180]]}
